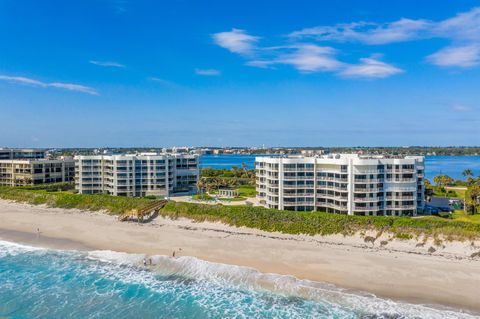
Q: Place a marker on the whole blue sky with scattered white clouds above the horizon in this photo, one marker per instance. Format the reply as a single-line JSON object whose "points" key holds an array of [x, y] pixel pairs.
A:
{"points": [[124, 73]]}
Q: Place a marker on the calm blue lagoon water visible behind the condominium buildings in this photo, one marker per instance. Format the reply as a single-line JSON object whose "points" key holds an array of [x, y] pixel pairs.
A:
{"points": [[434, 165]]}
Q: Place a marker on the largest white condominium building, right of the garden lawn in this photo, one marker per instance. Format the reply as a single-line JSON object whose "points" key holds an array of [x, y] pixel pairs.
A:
{"points": [[344, 183]]}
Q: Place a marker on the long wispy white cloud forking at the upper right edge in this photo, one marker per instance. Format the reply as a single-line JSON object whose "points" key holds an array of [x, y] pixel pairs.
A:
{"points": [[463, 30]]}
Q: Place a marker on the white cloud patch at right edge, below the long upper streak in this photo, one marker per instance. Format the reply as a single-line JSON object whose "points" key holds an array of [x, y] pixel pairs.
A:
{"points": [[457, 56]]}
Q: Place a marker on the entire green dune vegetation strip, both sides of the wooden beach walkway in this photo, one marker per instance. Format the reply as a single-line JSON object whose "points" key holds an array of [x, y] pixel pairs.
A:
{"points": [[311, 223]]}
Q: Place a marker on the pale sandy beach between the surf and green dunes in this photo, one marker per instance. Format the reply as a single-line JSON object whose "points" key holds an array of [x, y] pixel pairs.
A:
{"points": [[405, 270]]}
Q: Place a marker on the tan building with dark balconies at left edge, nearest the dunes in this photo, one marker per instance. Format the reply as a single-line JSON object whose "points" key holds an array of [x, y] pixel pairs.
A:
{"points": [[21, 172]]}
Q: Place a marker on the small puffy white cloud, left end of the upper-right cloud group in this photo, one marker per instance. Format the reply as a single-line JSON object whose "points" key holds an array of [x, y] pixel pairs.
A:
{"points": [[237, 41]]}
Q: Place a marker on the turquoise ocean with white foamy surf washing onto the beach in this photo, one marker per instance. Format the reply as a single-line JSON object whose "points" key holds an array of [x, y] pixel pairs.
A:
{"points": [[42, 283]]}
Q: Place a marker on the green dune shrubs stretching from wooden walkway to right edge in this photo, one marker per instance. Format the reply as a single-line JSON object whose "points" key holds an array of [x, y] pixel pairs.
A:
{"points": [[313, 223]]}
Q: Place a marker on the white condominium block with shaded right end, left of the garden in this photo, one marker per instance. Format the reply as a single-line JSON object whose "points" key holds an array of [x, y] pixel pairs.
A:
{"points": [[137, 174]]}
